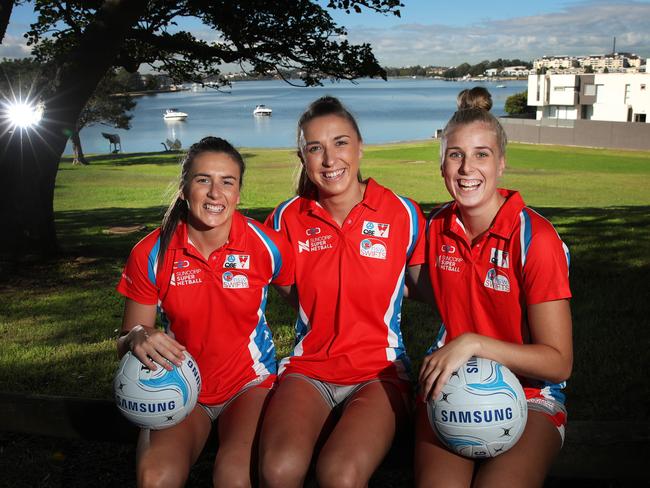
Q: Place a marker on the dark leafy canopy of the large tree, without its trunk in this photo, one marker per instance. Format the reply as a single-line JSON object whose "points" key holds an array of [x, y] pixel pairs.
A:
{"points": [[260, 35]]}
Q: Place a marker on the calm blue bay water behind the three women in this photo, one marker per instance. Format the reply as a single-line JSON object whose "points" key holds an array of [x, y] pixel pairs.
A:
{"points": [[396, 110]]}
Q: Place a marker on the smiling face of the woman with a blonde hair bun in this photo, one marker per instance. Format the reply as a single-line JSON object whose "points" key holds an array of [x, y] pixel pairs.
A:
{"points": [[471, 165]]}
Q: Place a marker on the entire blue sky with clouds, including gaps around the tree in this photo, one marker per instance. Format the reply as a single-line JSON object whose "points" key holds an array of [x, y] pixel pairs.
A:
{"points": [[449, 33]]}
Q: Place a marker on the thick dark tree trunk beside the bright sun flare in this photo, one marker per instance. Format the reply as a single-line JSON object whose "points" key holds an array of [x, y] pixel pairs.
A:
{"points": [[30, 159]]}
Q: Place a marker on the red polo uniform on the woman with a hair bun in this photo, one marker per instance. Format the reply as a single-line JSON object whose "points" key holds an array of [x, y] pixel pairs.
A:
{"points": [[485, 287]]}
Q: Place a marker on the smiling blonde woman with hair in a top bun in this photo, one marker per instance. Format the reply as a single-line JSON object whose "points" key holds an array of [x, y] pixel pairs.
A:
{"points": [[499, 273]]}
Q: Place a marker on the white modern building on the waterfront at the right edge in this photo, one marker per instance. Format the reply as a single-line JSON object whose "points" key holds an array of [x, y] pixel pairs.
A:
{"points": [[617, 97]]}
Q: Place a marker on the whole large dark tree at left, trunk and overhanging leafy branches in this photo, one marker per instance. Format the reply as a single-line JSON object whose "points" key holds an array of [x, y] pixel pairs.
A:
{"points": [[85, 39]]}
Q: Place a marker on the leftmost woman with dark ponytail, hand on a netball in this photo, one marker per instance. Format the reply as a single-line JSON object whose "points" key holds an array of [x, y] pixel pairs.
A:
{"points": [[206, 272]]}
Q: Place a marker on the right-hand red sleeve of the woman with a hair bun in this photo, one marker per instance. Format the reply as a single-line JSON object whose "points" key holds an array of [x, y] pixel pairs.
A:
{"points": [[546, 267]]}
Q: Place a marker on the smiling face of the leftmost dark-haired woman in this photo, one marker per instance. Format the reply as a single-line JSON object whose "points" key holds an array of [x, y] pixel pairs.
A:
{"points": [[212, 190]]}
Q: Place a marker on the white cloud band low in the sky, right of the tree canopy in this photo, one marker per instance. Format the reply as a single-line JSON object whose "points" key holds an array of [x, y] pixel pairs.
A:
{"points": [[582, 28]]}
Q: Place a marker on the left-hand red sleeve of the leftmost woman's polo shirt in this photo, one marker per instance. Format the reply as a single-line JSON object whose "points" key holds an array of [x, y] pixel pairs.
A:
{"points": [[138, 277]]}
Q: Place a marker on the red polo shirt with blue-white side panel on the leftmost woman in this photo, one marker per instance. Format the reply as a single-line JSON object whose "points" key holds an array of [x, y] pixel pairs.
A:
{"points": [[215, 307]]}
